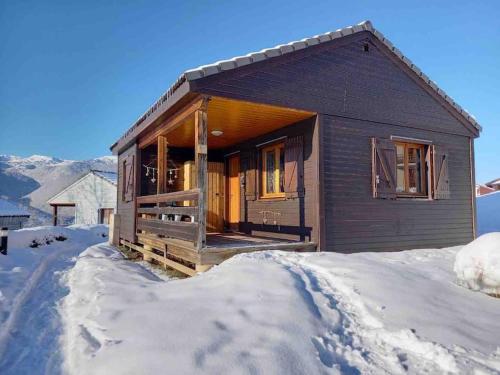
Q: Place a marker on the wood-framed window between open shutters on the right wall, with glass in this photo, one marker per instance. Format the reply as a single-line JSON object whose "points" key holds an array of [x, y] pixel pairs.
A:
{"points": [[411, 176]]}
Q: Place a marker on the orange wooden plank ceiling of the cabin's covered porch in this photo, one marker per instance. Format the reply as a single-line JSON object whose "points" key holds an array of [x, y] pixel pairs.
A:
{"points": [[238, 120]]}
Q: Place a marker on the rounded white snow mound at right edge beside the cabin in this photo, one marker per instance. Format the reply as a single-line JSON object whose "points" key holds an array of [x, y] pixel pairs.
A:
{"points": [[477, 265]]}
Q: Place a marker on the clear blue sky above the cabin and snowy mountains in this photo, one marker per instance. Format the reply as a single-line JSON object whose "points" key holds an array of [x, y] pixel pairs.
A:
{"points": [[75, 74]]}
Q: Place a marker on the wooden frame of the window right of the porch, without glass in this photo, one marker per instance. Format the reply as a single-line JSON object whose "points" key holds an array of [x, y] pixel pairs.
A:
{"points": [[424, 170]]}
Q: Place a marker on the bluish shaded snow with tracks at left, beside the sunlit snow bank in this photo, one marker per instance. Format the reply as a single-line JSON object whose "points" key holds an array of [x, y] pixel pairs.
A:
{"points": [[30, 289]]}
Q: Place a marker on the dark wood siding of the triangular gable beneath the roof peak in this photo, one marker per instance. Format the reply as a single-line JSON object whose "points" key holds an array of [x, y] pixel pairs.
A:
{"points": [[339, 78]]}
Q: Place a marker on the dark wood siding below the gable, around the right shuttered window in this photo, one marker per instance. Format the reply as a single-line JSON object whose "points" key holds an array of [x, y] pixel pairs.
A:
{"points": [[355, 221]]}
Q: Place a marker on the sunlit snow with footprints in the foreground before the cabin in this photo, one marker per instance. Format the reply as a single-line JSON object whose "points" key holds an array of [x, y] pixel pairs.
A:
{"points": [[279, 313]]}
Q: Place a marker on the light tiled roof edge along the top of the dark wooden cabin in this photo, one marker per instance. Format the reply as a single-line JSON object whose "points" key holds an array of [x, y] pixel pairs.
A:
{"points": [[282, 49]]}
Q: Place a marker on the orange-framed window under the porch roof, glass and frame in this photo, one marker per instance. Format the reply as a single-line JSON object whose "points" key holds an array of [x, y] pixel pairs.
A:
{"points": [[273, 171]]}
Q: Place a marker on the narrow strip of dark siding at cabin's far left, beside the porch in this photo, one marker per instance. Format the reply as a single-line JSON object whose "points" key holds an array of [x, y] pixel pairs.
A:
{"points": [[126, 210]]}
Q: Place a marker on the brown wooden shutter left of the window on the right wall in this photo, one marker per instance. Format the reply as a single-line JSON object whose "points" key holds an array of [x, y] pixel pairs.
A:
{"points": [[383, 168]]}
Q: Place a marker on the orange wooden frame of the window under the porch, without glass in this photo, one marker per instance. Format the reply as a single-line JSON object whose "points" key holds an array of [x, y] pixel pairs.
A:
{"points": [[279, 149]]}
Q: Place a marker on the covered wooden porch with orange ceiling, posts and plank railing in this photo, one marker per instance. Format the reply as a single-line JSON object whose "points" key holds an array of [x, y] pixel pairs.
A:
{"points": [[195, 185]]}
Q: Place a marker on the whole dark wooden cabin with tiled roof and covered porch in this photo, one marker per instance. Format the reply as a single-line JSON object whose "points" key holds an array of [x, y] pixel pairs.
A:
{"points": [[335, 143]]}
